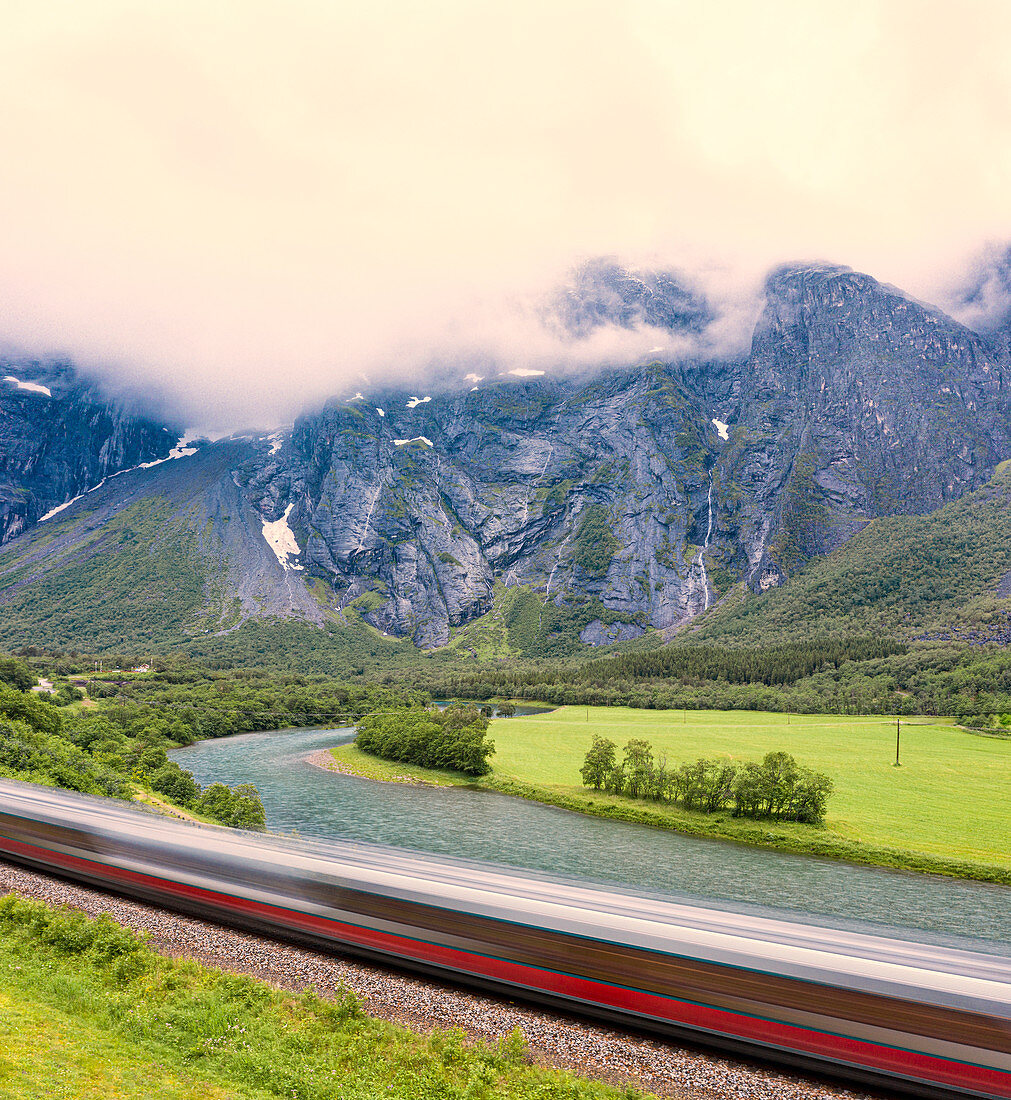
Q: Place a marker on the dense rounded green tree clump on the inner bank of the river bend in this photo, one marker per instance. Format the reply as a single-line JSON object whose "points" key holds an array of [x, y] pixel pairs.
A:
{"points": [[455, 739]]}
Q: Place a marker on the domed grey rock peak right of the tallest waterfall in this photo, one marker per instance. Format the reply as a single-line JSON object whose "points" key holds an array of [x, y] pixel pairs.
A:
{"points": [[856, 402]]}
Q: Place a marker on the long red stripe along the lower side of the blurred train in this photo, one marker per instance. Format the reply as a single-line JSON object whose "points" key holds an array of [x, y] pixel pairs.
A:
{"points": [[837, 1048]]}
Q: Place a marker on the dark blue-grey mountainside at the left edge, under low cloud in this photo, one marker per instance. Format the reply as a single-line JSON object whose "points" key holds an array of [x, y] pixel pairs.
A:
{"points": [[60, 437]]}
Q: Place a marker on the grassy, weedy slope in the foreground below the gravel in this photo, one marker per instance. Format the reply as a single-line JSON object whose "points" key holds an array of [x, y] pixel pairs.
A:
{"points": [[87, 1010]]}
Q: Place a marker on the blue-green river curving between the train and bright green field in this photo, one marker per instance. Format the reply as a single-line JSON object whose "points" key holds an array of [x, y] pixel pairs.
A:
{"points": [[303, 800]]}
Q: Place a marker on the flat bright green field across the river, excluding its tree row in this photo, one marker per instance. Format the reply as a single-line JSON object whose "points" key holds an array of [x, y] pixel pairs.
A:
{"points": [[944, 811]]}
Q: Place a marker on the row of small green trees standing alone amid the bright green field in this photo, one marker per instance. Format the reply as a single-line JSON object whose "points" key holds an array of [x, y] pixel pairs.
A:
{"points": [[777, 788]]}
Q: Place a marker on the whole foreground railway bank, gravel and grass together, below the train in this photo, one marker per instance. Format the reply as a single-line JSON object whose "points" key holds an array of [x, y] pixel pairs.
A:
{"points": [[85, 1010]]}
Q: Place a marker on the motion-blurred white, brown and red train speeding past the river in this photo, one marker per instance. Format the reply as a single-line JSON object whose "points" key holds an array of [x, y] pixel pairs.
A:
{"points": [[917, 1018]]}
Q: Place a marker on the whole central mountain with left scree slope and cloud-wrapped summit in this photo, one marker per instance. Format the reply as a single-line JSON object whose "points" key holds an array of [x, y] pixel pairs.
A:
{"points": [[531, 514]]}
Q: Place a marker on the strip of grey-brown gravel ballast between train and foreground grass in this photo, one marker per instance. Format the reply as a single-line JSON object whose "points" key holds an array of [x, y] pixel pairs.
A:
{"points": [[423, 1005]]}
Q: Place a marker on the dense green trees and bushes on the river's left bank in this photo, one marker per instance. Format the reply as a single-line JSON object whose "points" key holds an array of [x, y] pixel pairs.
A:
{"points": [[118, 745]]}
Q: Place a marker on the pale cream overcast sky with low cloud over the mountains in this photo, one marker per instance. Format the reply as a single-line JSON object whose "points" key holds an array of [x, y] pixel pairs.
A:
{"points": [[255, 204]]}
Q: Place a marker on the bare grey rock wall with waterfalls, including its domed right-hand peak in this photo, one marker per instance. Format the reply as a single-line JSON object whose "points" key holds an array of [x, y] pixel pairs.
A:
{"points": [[621, 497]]}
